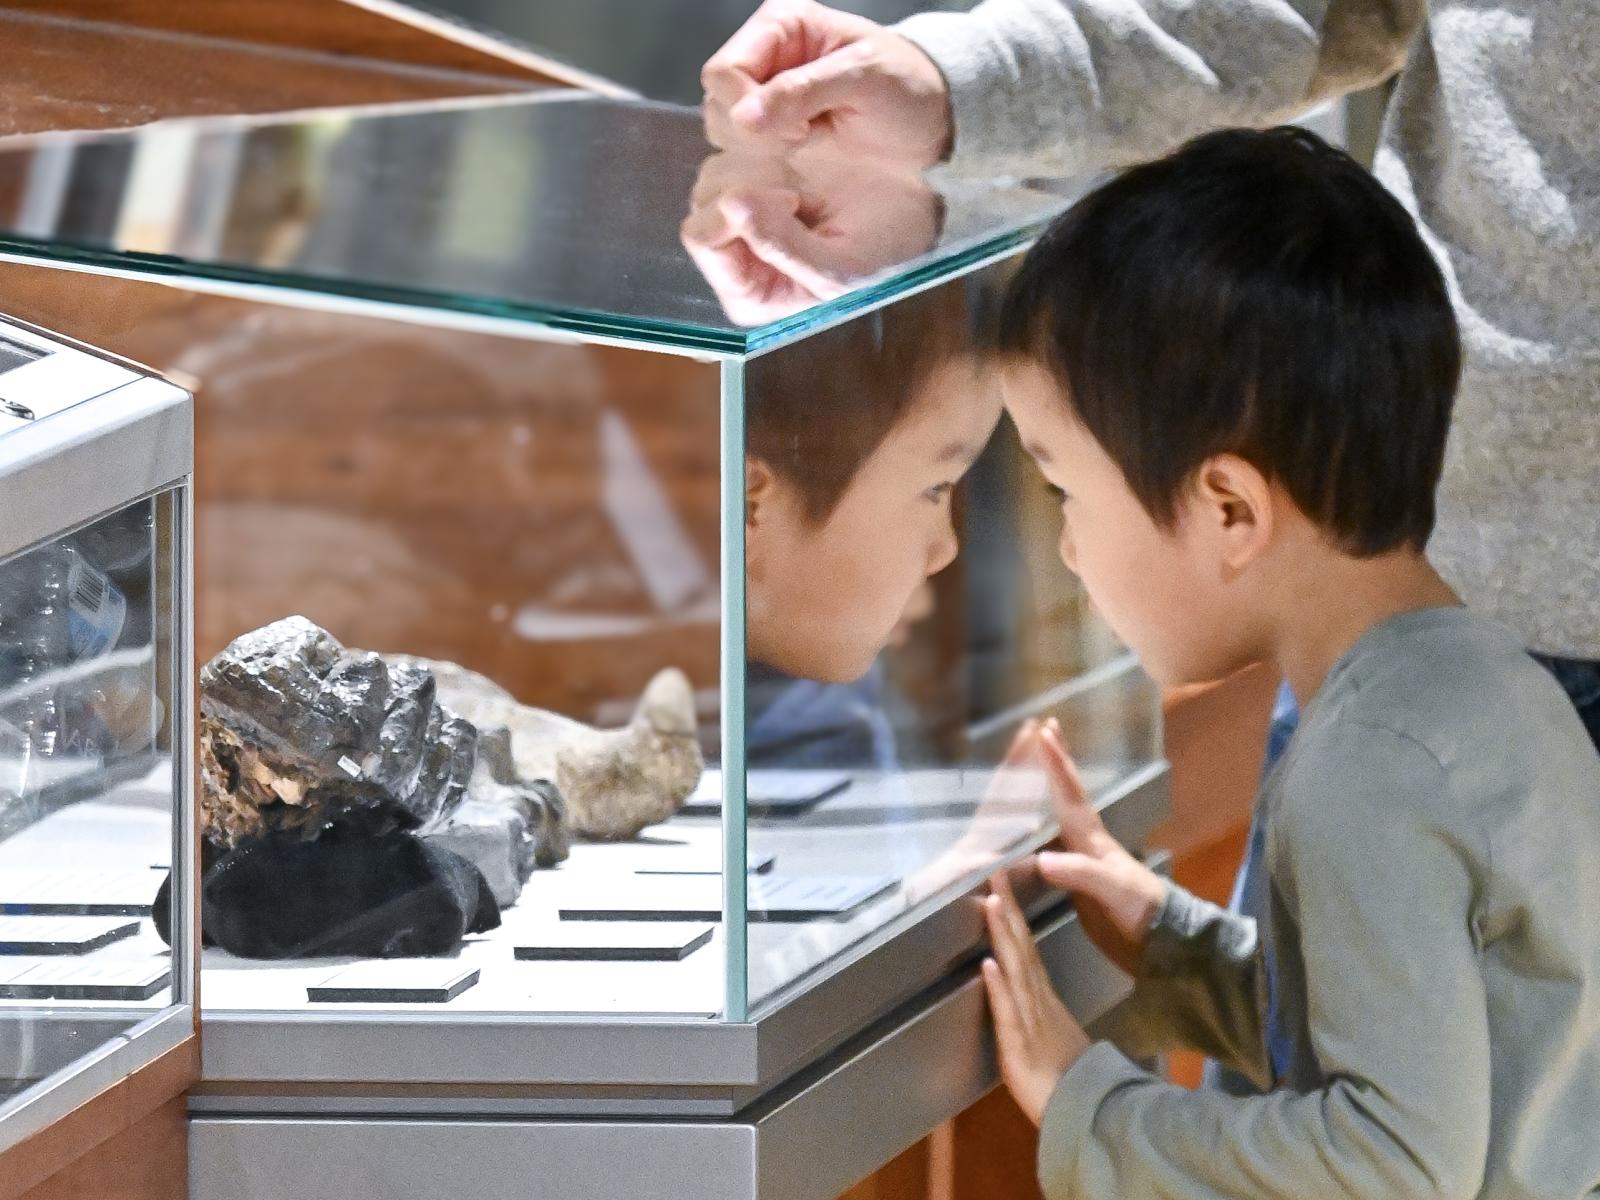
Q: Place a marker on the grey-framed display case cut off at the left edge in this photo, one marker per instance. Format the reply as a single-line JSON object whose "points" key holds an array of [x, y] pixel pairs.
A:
{"points": [[95, 726]]}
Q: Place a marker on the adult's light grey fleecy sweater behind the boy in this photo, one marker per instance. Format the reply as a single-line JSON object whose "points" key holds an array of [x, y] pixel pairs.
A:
{"points": [[1494, 142]]}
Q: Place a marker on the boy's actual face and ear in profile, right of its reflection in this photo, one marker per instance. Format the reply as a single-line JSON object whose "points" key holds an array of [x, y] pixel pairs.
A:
{"points": [[1162, 591]]}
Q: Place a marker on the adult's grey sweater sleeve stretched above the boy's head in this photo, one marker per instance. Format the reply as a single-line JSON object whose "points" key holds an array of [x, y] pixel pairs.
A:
{"points": [[1071, 87]]}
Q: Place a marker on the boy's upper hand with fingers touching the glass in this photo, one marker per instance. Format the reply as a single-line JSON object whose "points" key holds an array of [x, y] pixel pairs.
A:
{"points": [[1116, 895]]}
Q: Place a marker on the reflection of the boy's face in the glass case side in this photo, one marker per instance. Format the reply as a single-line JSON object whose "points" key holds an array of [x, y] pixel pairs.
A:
{"points": [[826, 598]]}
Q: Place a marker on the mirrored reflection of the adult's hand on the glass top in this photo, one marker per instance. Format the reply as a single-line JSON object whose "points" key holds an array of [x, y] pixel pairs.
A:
{"points": [[778, 233]]}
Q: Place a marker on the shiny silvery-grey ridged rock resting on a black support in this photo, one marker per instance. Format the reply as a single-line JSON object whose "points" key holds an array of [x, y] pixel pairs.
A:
{"points": [[297, 732]]}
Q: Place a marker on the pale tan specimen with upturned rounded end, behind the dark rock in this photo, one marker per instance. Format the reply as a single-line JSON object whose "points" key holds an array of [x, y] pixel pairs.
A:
{"points": [[615, 782]]}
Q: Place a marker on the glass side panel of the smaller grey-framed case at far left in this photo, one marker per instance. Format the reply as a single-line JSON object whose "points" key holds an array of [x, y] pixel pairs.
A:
{"points": [[89, 638]]}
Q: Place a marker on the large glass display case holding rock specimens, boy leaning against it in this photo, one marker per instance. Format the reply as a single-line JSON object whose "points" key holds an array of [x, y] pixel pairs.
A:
{"points": [[614, 646]]}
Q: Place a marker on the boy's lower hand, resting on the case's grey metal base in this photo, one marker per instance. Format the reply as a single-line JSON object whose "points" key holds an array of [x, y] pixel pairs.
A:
{"points": [[1036, 1036]]}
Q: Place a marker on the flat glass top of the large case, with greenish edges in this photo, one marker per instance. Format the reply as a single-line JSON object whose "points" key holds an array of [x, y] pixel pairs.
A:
{"points": [[585, 215]]}
